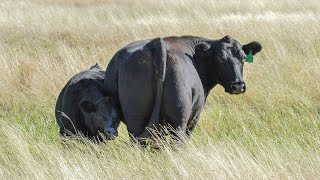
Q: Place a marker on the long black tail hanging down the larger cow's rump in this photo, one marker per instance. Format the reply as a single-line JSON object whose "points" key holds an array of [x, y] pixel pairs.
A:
{"points": [[159, 61]]}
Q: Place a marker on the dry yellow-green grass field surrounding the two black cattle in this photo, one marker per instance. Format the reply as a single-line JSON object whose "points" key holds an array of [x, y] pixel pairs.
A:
{"points": [[270, 132]]}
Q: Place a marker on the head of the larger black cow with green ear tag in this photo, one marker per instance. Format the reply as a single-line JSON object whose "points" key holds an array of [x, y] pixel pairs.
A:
{"points": [[225, 59]]}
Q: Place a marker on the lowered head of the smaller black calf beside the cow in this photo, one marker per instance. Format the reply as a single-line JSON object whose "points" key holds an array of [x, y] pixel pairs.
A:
{"points": [[100, 114]]}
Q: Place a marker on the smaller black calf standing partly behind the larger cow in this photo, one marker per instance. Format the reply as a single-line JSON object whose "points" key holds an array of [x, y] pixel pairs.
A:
{"points": [[83, 106]]}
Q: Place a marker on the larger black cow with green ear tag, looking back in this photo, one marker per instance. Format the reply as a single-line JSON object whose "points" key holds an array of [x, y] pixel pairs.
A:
{"points": [[165, 81]]}
